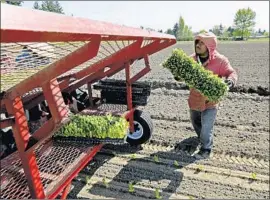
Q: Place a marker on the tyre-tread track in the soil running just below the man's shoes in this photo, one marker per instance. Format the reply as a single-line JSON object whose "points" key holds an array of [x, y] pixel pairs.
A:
{"points": [[217, 160]]}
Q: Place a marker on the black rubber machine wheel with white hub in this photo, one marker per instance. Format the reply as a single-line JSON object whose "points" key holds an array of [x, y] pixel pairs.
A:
{"points": [[143, 128]]}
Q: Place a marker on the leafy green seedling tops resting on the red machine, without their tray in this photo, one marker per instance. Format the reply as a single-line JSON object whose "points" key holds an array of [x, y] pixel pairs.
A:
{"points": [[100, 127]]}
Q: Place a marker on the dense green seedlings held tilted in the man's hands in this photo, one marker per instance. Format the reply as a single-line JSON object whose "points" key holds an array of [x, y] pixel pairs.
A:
{"points": [[195, 75]]}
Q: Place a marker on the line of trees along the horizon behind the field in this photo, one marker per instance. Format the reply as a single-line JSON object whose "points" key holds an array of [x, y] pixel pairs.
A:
{"points": [[242, 28]]}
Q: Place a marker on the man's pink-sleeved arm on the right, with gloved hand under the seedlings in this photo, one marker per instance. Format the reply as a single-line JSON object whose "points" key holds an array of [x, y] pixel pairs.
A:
{"points": [[228, 72]]}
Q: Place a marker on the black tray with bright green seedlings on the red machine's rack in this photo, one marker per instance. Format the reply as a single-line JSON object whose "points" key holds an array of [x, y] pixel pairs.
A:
{"points": [[93, 129]]}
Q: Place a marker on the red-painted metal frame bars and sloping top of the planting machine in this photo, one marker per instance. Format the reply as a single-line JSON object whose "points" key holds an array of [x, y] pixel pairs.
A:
{"points": [[19, 25]]}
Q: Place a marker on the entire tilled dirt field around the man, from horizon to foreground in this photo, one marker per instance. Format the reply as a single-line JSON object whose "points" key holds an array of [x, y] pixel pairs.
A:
{"points": [[239, 167]]}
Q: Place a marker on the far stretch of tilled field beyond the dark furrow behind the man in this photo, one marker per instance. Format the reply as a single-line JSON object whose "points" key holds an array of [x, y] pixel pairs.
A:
{"points": [[250, 59]]}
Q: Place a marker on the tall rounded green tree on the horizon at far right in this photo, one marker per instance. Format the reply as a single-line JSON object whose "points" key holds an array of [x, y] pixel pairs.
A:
{"points": [[244, 21]]}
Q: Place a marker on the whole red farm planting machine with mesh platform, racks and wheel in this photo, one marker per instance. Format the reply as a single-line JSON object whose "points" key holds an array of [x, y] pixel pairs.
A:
{"points": [[44, 58]]}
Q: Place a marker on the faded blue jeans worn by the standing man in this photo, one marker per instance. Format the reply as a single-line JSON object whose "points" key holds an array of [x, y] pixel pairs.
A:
{"points": [[203, 123]]}
